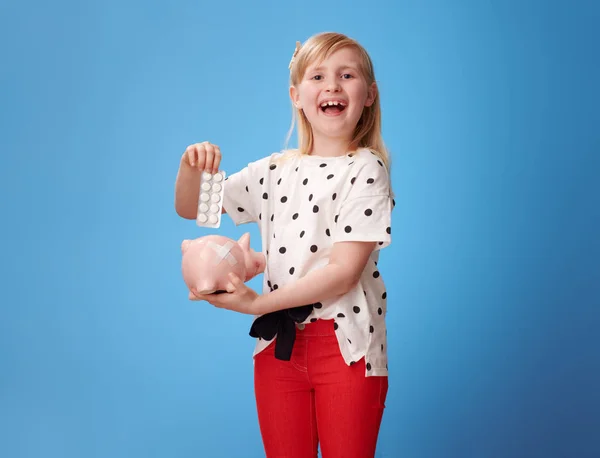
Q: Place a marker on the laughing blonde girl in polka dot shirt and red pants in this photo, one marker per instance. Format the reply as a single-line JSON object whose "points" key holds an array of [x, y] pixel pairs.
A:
{"points": [[324, 212]]}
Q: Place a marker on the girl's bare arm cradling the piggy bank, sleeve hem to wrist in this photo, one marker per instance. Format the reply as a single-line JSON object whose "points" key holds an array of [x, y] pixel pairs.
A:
{"points": [[340, 275]]}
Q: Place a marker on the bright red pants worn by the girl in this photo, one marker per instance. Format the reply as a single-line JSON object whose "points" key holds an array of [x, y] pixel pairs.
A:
{"points": [[316, 398]]}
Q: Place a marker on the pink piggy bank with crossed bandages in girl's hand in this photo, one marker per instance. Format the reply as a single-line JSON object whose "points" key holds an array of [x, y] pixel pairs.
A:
{"points": [[207, 261]]}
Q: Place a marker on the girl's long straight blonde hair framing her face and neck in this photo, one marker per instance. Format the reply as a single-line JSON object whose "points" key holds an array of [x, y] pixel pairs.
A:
{"points": [[368, 130]]}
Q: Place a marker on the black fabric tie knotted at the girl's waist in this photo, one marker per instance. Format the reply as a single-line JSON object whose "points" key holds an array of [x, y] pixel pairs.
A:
{"points": [[283, 325]]}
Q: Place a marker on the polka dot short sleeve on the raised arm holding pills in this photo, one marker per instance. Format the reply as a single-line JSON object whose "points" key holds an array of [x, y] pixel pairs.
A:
{"points": [[241, 196]]}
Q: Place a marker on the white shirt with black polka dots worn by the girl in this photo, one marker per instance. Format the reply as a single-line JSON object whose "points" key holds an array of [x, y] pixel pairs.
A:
{"points": [[303, 205]]}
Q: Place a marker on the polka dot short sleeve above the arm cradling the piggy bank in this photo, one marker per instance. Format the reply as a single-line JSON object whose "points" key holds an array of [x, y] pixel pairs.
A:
{"points": [[365, 214]]}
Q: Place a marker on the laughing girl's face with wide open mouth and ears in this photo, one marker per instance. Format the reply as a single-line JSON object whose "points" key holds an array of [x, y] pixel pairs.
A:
{"points": [[333, 93]]}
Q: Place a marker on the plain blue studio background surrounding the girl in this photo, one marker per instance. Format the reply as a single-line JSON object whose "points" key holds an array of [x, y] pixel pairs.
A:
{"points": [[491, 113]]}
